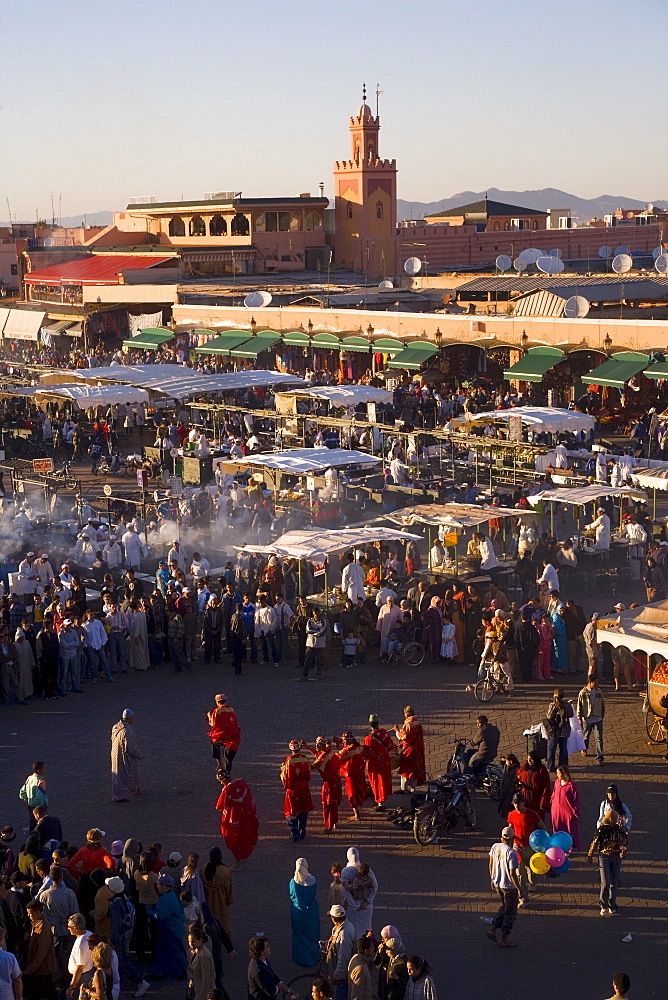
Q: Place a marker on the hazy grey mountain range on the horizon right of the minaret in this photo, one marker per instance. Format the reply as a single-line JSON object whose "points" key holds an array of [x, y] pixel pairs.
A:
{"points": [[581, 208]]}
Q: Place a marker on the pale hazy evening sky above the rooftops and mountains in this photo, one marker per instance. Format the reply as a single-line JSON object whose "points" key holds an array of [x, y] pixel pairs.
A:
{"points": [[102, 101]]}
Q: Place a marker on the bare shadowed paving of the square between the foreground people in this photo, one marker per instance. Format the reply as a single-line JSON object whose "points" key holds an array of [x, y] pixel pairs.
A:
{"points": [[437, 896]]}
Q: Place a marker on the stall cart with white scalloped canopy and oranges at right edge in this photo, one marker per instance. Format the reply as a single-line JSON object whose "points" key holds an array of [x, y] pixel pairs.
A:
{"points": [[644, 630]]}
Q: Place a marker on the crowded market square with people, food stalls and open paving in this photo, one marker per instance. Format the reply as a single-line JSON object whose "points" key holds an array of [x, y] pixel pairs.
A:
{"points": [[468, 588]]}
